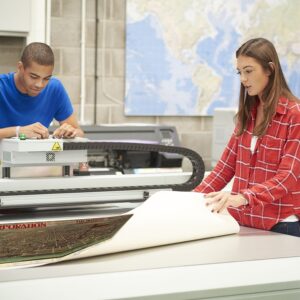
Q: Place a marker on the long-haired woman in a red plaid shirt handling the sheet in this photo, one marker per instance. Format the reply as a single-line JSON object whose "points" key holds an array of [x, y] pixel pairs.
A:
{"points": [[263, 153]]}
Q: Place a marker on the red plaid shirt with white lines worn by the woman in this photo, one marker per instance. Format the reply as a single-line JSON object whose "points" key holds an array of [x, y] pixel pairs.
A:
{"points": [[270, 177]]}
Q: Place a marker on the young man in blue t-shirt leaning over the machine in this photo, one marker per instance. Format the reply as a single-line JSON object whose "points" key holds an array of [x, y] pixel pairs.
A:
{"points": [[31, 98]]}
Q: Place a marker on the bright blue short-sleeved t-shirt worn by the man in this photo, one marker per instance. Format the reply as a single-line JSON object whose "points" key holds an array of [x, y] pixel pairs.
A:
{"points": [[21, 109]]}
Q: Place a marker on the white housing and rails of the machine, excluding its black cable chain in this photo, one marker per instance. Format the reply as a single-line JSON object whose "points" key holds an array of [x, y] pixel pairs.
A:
{"points": [[19, 153]]}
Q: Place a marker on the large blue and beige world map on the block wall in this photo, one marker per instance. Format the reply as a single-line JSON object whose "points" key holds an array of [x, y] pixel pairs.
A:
{"points": [[180, 54]]}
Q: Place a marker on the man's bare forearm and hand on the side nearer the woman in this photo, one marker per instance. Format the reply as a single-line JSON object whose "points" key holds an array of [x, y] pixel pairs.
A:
{"points": [[69, 128]]}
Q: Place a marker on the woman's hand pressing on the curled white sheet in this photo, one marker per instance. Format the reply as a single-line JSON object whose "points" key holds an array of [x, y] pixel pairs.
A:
{"points": [[221, 200]]}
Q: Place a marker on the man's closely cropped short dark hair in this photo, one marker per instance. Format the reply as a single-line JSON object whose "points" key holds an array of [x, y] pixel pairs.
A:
{"points": [[39, 53]]}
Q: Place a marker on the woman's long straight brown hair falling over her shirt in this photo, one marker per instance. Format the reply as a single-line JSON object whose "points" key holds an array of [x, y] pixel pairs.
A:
{"points": [[264, 52]]}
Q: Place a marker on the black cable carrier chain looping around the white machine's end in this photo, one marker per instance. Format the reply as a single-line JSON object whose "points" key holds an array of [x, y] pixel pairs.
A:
{"points": [[194, 180]]}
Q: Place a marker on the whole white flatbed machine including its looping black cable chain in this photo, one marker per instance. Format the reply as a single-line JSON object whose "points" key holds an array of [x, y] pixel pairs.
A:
{"points": [[69, 190]]}
